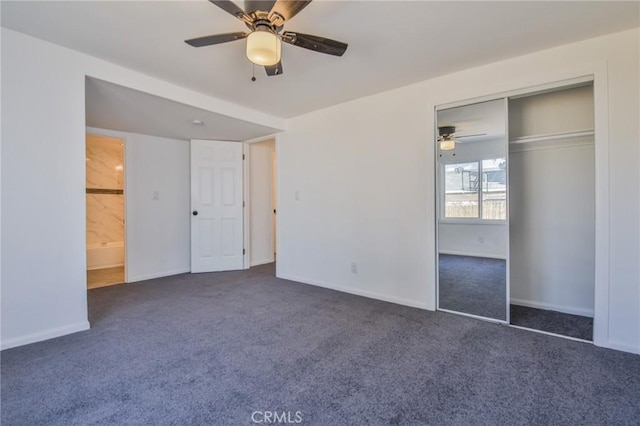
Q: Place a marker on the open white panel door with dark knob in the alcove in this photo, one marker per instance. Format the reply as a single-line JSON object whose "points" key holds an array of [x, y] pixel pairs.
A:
{"points": [[216, 206]]}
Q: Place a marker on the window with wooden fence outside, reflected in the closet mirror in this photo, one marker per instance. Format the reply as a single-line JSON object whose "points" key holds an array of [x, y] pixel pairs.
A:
{"points": [[476, 190]]}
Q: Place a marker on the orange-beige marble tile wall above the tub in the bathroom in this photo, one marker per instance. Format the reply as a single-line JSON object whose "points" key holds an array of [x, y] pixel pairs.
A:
{"points": [[105, 211]]}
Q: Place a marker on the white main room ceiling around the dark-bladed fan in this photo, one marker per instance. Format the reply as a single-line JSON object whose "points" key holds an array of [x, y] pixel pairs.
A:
{"points": [[391, 43]]}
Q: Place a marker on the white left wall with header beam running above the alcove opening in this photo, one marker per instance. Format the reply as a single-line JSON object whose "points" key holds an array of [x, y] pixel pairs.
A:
{"points": [[43, 196]]}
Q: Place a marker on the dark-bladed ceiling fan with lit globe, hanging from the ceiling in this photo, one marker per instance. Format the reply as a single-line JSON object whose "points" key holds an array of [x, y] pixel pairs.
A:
{"points": [[266, 19]]}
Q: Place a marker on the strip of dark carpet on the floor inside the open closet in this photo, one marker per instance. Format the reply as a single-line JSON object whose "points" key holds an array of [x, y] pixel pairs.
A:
{"points": [[554, 322]]}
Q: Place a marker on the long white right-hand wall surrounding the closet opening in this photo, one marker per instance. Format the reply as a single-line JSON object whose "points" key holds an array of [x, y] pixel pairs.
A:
{"points": [[364, 175]]}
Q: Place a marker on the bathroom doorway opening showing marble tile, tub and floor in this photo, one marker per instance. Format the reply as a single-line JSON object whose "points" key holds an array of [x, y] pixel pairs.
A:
{"points": [[105, 233]]}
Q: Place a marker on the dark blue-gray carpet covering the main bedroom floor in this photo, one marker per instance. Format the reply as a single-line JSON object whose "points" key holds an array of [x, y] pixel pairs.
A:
{"points": [[213, 348]]}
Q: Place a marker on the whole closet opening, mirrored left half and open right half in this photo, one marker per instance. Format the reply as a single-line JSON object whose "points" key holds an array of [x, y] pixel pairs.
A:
{"points": [[516, 210]]}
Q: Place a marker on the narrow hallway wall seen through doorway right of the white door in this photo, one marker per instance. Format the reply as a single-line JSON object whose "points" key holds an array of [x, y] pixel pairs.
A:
{"points": [[260, 205]]}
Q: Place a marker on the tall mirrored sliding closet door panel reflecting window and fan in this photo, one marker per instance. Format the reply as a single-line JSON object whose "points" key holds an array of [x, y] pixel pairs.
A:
{"points": [[472, 209]]}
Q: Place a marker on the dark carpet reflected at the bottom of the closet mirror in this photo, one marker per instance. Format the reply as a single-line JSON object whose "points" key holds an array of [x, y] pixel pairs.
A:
{"points": [[473, 285]]}
